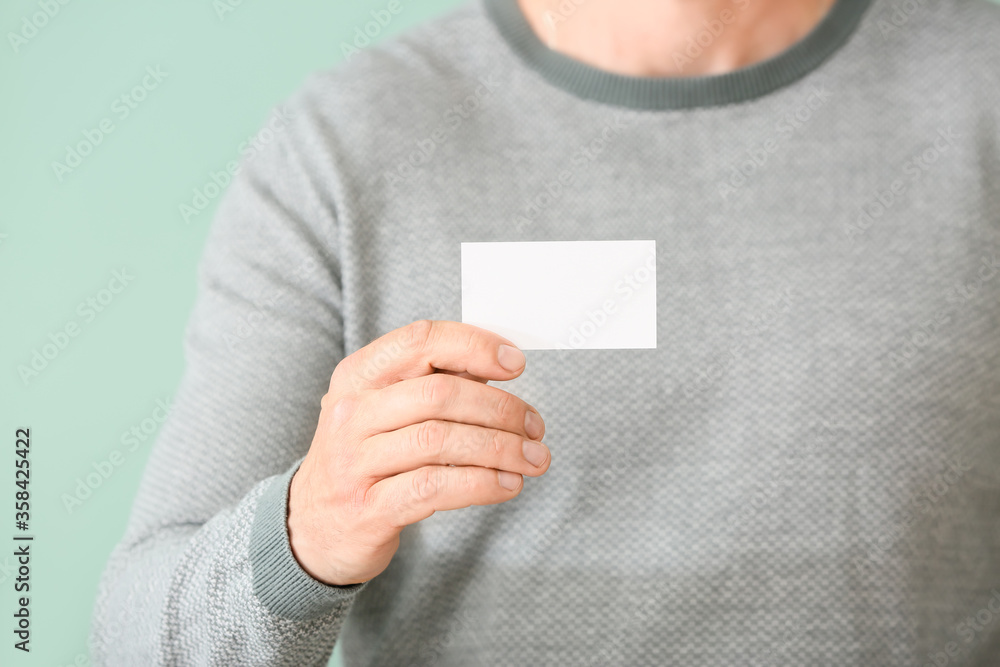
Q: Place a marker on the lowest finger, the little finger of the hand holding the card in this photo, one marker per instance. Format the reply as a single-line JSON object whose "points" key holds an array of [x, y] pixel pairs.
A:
{"points": [[413, 496]]}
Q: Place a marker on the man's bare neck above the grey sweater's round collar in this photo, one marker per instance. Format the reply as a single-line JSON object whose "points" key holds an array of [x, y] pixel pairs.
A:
{"points": [[672, 37]]}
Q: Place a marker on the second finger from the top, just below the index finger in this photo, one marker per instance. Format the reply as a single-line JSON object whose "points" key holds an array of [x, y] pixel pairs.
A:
{"points": [[449, 398]]}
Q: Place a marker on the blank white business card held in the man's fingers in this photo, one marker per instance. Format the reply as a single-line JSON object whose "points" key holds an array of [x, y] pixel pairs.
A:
{"points": [[555, 295]]}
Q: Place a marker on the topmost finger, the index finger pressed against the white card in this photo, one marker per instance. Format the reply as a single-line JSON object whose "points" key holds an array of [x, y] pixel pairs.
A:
{"points": [[425, 346]]}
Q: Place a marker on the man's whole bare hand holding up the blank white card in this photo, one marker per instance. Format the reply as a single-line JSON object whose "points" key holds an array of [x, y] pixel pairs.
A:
{"points": [[408, 427]]}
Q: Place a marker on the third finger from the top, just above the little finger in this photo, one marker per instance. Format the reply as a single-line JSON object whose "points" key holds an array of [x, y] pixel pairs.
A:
{"points": [[437, 442]]}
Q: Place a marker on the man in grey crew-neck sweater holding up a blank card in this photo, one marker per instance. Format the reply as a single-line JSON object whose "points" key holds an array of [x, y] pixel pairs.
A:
{"points": [[805, 470]]}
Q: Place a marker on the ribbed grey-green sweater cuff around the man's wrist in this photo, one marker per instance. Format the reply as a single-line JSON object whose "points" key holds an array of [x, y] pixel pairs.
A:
{"points": [[279, 582]]}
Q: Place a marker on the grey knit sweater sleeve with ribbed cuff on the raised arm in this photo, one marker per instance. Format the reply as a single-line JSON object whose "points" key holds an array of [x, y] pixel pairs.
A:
{"points": [[204, 574]]}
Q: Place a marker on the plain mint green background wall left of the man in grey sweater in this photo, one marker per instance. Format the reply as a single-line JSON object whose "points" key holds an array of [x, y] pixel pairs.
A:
{"points": [[119, 208]]}
